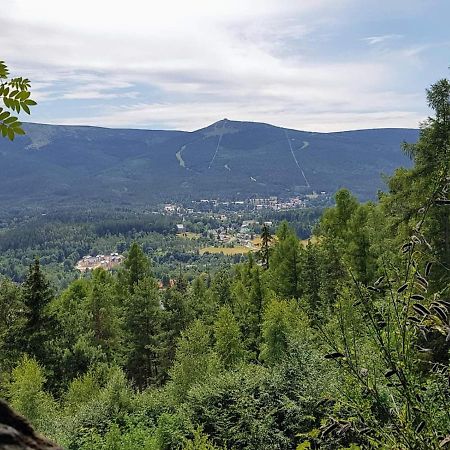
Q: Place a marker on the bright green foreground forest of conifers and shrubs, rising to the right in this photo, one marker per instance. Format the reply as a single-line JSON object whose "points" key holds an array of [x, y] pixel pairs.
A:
{"points": [[343, 343]]}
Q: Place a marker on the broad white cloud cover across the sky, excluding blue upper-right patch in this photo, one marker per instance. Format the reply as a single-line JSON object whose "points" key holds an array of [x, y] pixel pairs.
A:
{"points": [[204, 59]]}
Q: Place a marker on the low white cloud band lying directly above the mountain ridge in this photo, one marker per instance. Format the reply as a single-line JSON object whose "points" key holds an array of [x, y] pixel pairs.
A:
{"points": [[290, 113]]}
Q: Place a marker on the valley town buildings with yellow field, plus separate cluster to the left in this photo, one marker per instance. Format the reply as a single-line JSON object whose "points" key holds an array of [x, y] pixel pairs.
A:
{"points": [[214, 226]]}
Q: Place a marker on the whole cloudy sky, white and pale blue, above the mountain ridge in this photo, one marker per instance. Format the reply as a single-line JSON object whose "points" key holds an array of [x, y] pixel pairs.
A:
{"points": [[319, 65]]}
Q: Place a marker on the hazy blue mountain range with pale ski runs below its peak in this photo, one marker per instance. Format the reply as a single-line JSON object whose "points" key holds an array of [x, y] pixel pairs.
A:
{"points": [[72, 165]]}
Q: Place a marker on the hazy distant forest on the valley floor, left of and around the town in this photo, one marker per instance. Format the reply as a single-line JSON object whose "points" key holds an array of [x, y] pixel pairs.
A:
{"points": [[63, 237]]}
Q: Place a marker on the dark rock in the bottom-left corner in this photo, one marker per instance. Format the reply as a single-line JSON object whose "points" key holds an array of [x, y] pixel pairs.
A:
{"points": [[17, 434]]}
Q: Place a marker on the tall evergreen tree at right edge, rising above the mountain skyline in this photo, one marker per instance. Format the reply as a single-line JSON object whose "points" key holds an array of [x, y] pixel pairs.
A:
{"points": [[428, 181]]}
